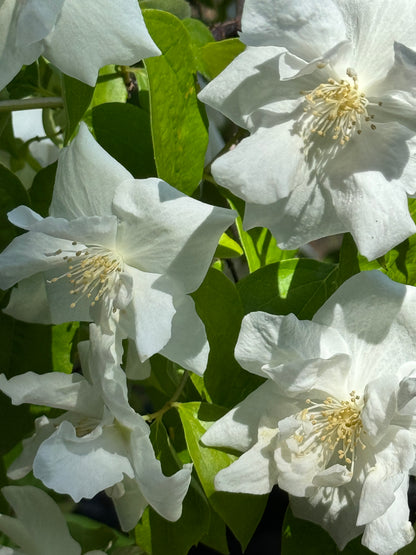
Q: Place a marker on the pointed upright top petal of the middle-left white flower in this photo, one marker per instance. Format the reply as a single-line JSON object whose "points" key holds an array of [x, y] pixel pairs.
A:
{"points": [[84, 168]]}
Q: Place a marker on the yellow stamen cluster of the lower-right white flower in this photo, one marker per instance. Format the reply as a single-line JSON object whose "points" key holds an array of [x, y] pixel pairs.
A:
{"points": [[335, 424]]}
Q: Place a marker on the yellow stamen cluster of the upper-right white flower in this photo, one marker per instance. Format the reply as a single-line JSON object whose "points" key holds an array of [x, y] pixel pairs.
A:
{"points": [[337, 108]]}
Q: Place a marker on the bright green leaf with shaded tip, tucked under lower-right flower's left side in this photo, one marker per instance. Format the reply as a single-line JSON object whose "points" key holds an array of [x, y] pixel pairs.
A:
{"points": [[240, 512]]}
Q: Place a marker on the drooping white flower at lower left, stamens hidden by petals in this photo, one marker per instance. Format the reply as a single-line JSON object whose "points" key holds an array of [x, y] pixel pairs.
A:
{"points": [[100, 442]]}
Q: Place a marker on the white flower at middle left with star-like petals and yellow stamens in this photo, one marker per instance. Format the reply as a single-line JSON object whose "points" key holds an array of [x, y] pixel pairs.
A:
{"points": [[115, 247]]}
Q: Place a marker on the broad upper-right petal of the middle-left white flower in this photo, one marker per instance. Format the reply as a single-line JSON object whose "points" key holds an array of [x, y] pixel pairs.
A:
{"points": [[188, 230]]}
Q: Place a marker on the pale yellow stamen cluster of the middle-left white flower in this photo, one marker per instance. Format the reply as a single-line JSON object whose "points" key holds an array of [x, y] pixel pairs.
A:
{"points": [[92, 272]]}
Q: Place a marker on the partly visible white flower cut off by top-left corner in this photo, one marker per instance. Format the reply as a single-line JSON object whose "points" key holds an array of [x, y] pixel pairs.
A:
{"points": [[78, 37]]}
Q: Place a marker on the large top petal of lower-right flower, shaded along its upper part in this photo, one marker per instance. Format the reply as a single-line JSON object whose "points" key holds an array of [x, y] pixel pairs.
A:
{"points": [[375, 316]]}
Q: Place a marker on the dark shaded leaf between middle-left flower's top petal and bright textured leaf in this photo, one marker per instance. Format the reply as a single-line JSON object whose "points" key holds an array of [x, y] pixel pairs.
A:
{"points": [[123, 130]]}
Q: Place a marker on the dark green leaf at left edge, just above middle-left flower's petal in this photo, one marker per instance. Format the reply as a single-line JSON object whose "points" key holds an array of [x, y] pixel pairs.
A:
{"points": [[12, 194]]}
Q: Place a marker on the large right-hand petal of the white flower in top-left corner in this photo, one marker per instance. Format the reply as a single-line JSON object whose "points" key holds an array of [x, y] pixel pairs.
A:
{"points": [[119, 38]]}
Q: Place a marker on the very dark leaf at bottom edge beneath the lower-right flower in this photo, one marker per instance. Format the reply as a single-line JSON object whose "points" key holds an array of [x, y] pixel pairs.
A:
{"points": [[294, 532]]}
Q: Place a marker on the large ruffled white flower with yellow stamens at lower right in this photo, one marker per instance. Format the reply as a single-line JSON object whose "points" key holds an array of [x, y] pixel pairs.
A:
{"points": [[335, 422]]}
